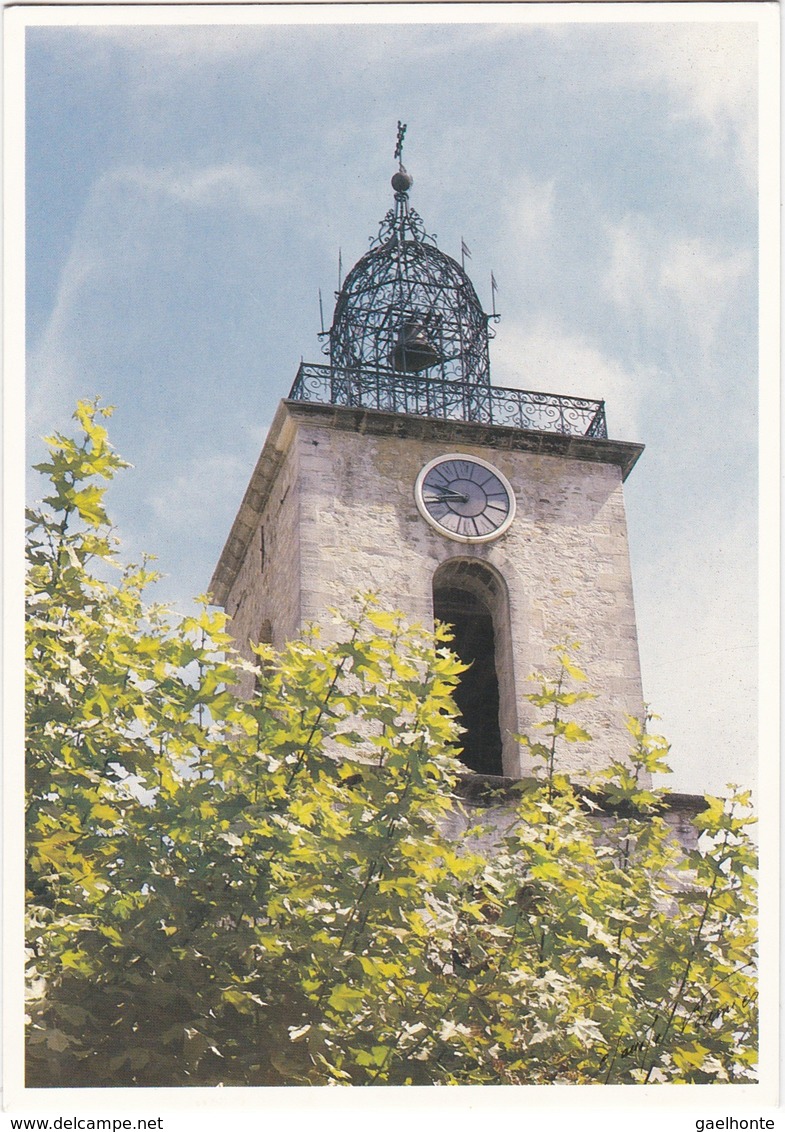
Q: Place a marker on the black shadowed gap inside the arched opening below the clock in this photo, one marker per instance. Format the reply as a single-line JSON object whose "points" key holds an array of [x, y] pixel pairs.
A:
{"points": [[477, 696]]}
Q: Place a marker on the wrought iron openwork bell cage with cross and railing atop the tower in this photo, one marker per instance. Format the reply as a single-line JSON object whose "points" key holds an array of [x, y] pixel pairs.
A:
{"points": [[409, 336]]}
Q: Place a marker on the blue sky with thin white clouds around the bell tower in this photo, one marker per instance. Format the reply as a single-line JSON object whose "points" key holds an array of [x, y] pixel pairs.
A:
{"points": [[189, 190]]}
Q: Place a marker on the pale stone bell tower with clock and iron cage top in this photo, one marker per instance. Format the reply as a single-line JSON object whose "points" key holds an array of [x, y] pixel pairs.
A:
{"points": [[399, 469]]}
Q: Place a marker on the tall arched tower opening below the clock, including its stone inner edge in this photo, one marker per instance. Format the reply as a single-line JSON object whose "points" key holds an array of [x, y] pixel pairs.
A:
{"points": [[473, 599]]}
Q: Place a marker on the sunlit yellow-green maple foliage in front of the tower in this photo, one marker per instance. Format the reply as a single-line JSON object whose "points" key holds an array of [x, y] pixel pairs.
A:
{"points": [[267, 893]]}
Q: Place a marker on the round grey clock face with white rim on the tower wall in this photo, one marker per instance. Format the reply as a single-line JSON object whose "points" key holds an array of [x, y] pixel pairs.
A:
{"points": [[465, 499]]}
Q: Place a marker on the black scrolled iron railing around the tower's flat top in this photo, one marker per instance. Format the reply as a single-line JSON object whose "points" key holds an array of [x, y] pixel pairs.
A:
{"points": [[425, 397]]}
